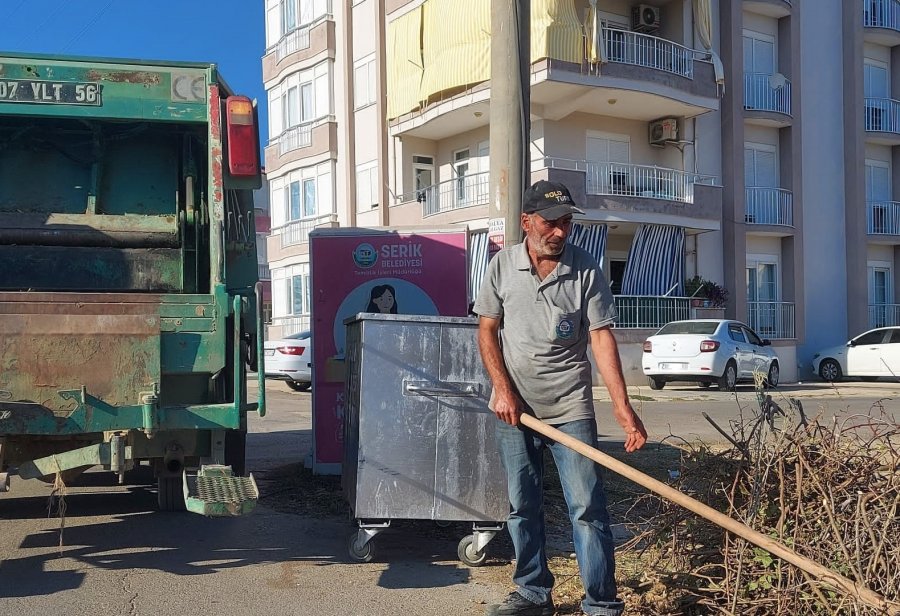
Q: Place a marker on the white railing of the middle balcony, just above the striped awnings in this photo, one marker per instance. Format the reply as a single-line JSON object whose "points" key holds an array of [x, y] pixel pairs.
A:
{"points": [[643, 181]]}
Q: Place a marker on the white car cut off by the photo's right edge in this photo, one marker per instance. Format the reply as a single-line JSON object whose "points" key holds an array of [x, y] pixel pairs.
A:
{"points": [[870, 355]]}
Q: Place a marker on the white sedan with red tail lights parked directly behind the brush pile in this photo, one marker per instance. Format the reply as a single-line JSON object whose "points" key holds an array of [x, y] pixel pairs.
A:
{"points": [[708, 351]]}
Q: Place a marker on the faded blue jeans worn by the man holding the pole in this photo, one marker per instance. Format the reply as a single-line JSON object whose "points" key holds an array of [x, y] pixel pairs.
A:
{"points": [[522, 453]]}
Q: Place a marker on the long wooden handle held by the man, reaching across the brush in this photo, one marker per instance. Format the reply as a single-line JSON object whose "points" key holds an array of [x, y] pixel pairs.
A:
{"points": [[863, 593]]}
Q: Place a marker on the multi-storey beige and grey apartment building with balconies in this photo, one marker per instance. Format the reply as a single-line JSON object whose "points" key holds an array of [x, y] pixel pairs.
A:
{"points": [[746, 141]]}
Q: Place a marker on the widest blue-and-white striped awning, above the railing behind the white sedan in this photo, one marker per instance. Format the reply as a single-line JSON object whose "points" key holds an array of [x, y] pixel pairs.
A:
{"points": [[655, 263]]}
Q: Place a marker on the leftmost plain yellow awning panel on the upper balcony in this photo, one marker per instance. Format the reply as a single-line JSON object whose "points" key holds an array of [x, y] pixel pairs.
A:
{"points": [[404, 63]]}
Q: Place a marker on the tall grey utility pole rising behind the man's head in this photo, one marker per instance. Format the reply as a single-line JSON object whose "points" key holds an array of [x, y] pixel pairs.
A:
{"points": [[510, 118]]}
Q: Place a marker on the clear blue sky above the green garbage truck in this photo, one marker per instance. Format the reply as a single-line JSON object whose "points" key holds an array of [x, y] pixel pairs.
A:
{"points": [[230, 33]]}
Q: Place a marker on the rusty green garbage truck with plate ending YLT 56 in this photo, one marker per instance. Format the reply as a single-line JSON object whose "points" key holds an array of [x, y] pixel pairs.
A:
{"points": [[130, 311]]}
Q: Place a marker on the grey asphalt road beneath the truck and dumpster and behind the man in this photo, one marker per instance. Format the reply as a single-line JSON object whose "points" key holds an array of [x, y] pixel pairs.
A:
{"points": [[120, 556]]}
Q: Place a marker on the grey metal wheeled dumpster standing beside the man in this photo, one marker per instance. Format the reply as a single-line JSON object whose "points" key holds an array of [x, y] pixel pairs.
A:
{"points": [[418, 434]]}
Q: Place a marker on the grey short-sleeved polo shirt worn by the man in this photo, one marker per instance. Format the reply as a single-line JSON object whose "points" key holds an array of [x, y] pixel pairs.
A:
{"points": [[544, 328]]}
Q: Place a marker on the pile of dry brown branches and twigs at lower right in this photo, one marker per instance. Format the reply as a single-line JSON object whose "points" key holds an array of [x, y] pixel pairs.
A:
{"points": [[829, 491]]}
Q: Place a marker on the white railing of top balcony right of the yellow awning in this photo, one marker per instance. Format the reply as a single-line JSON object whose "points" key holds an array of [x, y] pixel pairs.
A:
{"points": [[650, 51]]}
